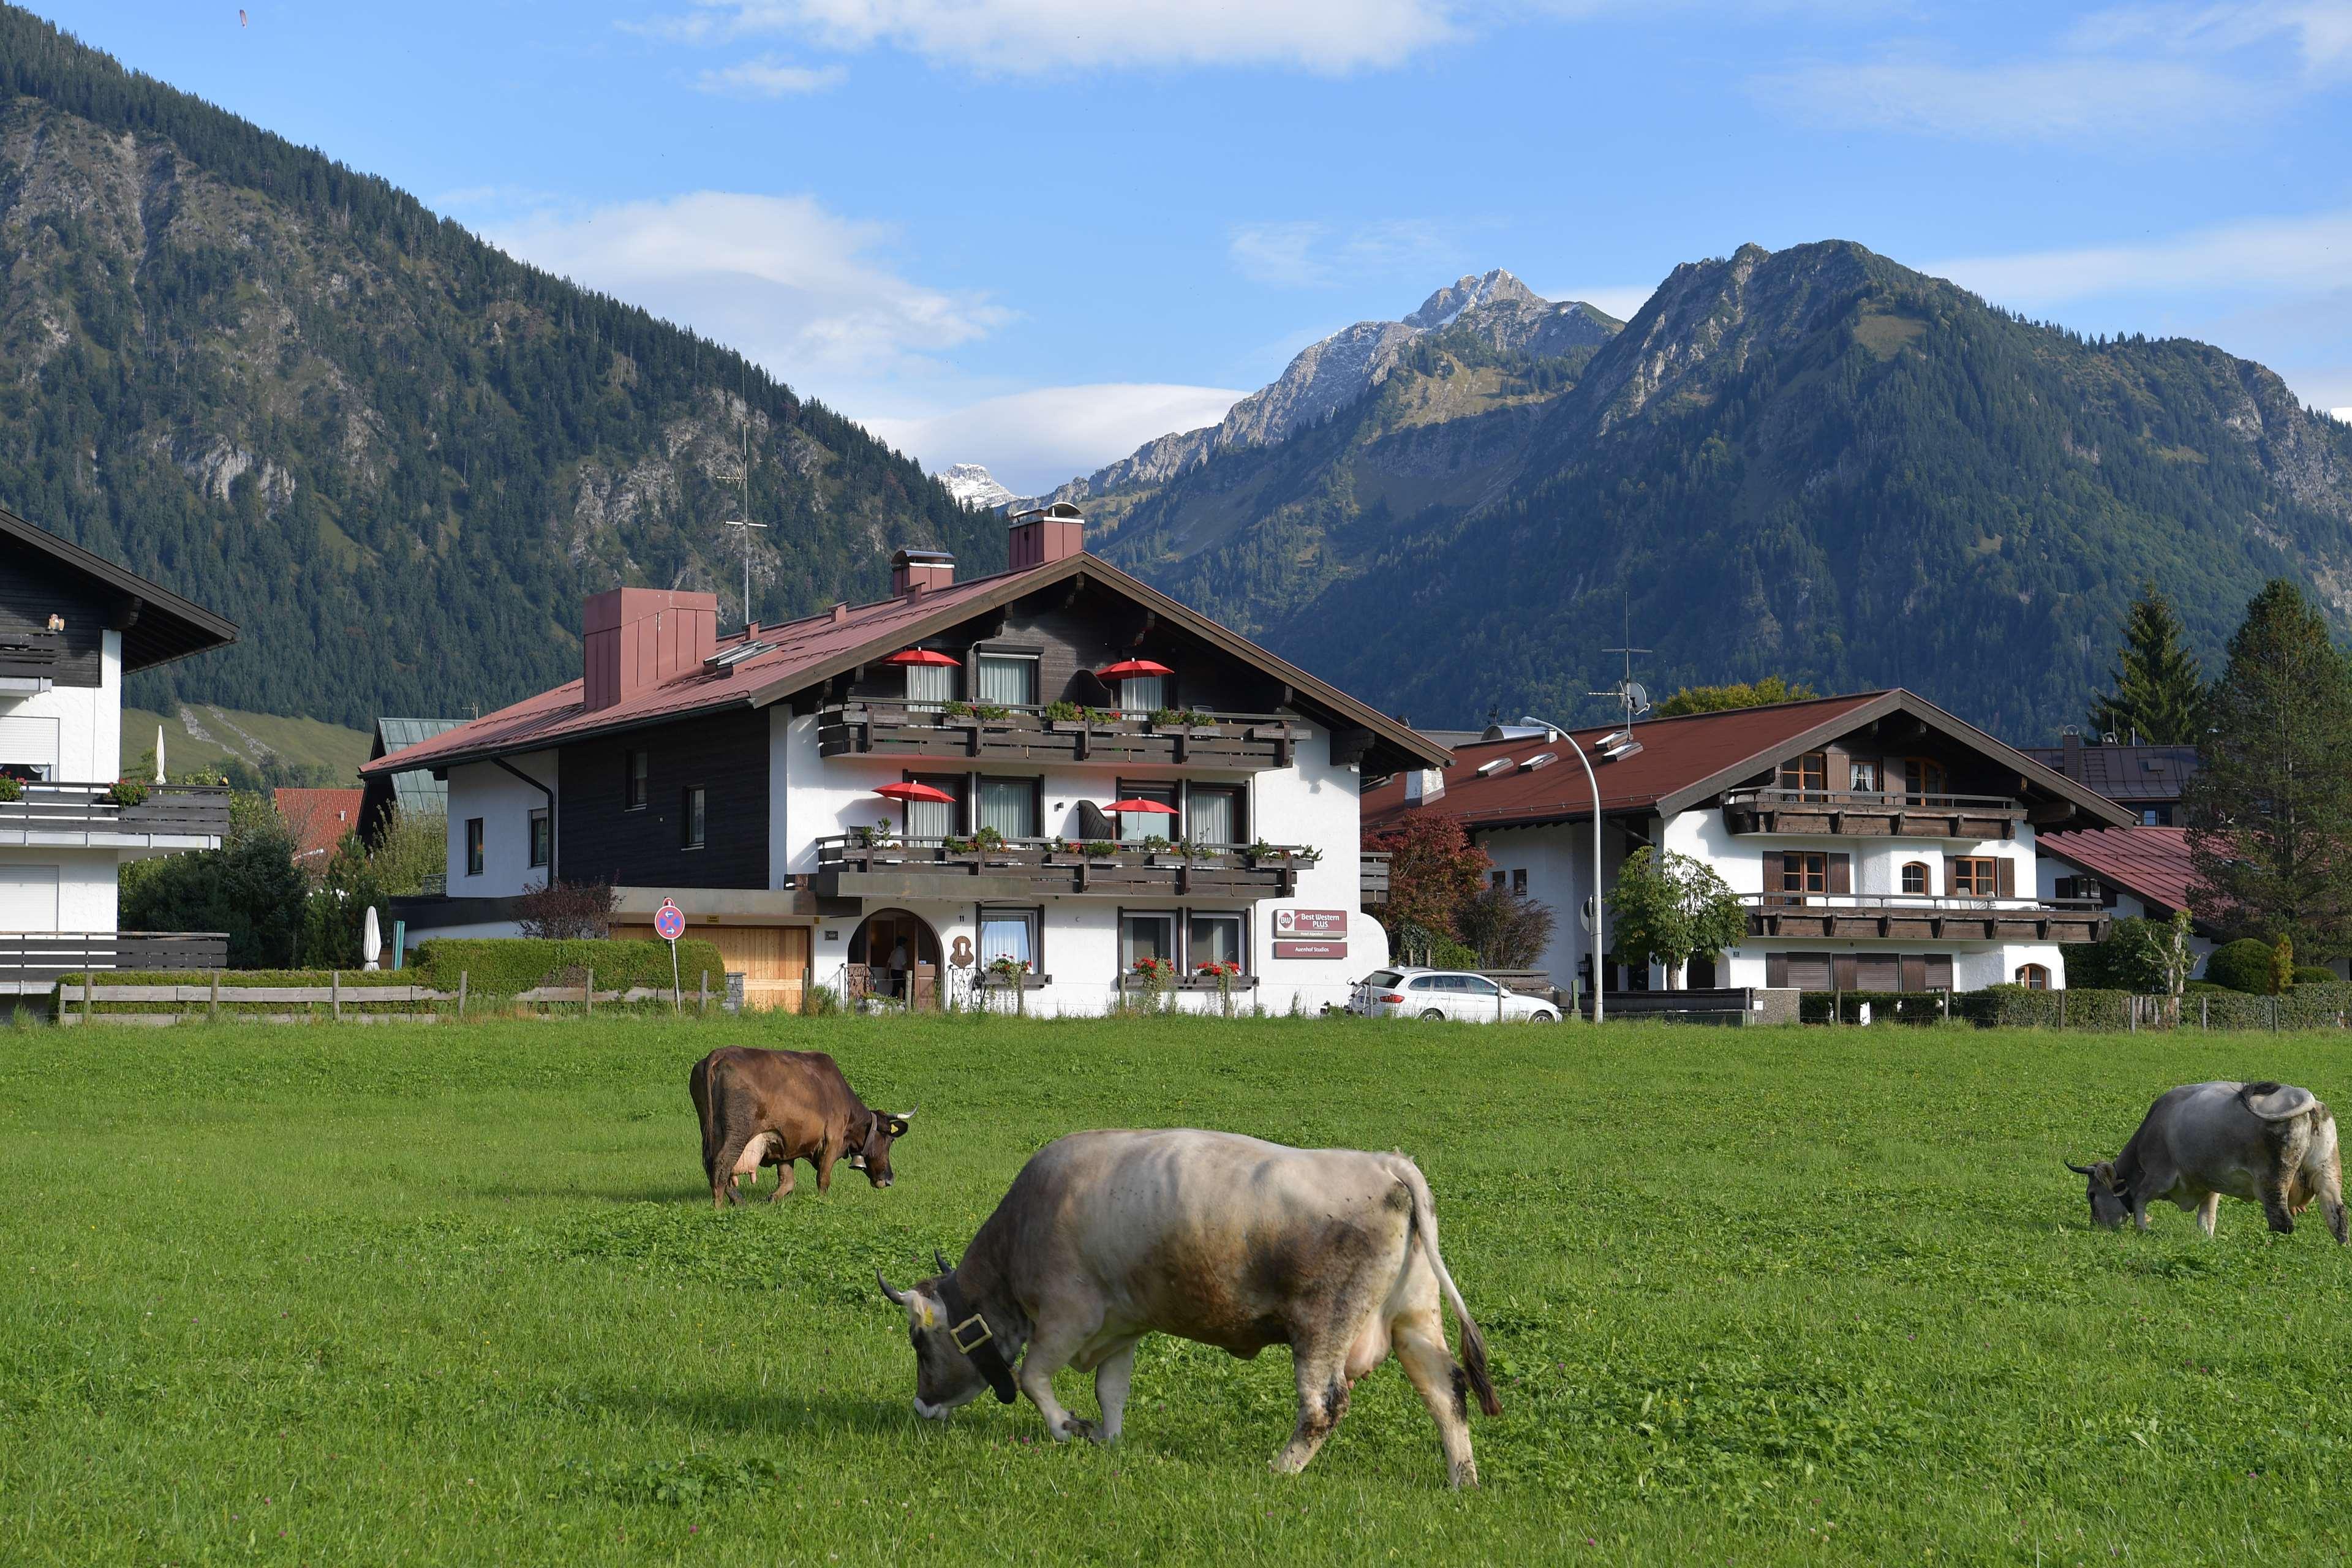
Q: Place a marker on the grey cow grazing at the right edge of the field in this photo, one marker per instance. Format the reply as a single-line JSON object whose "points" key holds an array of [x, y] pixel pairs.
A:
{"points": [[2264, 1144]]}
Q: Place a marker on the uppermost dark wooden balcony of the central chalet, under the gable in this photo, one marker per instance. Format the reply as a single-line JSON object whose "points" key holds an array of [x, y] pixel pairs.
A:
{"points": [[1229, 742]]}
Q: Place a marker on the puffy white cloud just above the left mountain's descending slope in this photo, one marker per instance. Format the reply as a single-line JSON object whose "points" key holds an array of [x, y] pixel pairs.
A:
{"points": [[777, 276]]}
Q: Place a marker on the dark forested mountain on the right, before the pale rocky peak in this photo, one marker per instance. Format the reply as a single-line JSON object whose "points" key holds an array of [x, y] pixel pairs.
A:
{"points": [[1815, 464]]}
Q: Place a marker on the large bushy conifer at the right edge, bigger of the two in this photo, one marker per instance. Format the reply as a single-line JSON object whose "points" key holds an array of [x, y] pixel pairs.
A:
{"points": [[2271, 808]]}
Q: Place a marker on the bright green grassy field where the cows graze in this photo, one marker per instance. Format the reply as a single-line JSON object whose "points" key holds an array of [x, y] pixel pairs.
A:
{"points": [[455, 1294]]}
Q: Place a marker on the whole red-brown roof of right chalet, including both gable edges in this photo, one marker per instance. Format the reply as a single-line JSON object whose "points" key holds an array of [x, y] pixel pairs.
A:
{"points": [[1688, 760]]}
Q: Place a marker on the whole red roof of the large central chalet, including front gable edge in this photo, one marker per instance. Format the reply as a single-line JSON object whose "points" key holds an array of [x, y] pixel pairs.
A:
{"points": [[822, 645]]}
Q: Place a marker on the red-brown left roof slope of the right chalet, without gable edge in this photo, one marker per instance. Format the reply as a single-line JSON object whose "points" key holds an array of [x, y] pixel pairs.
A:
{"points": [[1673, 756]]}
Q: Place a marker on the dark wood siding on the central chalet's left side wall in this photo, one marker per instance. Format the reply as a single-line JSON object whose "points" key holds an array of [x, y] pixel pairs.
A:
{"points": [[726, 756]]}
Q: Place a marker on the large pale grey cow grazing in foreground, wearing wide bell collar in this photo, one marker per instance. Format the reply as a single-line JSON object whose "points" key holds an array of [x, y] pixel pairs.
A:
{"points": [[1210, 1238]]}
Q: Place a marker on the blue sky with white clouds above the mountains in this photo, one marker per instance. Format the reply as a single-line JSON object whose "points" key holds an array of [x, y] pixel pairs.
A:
{"points": [[1034, 234]]}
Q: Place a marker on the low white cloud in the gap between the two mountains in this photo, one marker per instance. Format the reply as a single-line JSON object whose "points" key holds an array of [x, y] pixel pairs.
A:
{"points": [[1036, 441]]}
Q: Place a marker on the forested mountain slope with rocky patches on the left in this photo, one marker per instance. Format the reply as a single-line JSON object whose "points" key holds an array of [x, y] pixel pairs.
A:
{"points": [[396, 457]]}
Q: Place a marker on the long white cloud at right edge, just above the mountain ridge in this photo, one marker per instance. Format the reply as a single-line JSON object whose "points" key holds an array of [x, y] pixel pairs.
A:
{"points": [[2266, 257]]}
